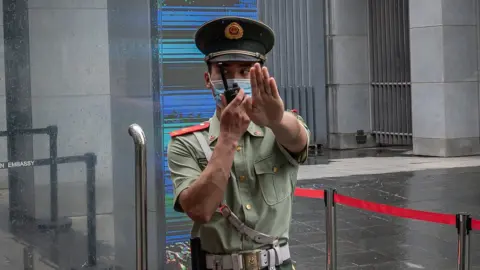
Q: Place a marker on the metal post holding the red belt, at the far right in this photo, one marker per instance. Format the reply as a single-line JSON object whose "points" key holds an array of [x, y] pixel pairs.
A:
{"points": [[464, 226]]}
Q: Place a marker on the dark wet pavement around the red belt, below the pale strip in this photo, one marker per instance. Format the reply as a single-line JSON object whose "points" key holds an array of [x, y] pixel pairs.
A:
{"points": [[368, 240]]}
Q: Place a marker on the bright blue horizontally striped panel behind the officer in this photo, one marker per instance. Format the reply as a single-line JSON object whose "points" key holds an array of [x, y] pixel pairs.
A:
{"points": [[182, 106]]}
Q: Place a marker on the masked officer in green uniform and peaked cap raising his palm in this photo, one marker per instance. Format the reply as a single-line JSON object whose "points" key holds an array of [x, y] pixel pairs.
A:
{"points": [[235, 174]]}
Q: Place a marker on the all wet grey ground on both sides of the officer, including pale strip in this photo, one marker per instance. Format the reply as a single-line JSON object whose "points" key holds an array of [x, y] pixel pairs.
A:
{"points": [[365, 240]]}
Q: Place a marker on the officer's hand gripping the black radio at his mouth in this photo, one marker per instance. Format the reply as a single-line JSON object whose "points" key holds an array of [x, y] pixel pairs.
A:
{"points": [[234, 120]]}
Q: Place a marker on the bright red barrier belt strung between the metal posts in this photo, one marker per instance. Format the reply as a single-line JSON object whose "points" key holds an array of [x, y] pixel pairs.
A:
{"points": [[448, 219]]}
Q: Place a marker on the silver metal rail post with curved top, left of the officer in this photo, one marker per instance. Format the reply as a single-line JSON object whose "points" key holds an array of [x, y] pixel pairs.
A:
{"points": [[140, 195]]}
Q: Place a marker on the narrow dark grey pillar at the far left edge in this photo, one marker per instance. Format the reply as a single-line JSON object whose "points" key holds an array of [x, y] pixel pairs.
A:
{"points": [[18, 108]]}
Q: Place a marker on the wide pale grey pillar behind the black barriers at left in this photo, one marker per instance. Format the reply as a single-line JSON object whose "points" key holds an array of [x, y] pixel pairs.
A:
{"points": [[70, 88]]}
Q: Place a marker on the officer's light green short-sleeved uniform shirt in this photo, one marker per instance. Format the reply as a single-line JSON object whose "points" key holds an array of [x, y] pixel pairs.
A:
{"points": [[261, 193]]}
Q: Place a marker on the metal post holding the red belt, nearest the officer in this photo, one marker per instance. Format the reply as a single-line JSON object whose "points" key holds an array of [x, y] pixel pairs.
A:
{"points": [[331, 228]]}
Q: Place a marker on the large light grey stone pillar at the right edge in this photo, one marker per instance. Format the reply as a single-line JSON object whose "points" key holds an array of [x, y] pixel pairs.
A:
{"points": [[444, 68]]}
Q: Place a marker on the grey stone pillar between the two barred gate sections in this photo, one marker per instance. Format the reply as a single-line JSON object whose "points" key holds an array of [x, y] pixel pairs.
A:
{"points": [[348, 73]]}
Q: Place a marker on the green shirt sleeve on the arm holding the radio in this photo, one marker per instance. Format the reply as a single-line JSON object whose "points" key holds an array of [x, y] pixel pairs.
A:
{"points": [[184, 169]]}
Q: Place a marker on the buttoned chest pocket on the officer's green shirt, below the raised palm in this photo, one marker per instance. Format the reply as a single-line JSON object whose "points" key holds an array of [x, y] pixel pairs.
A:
{"points": [[273, 178]]}
